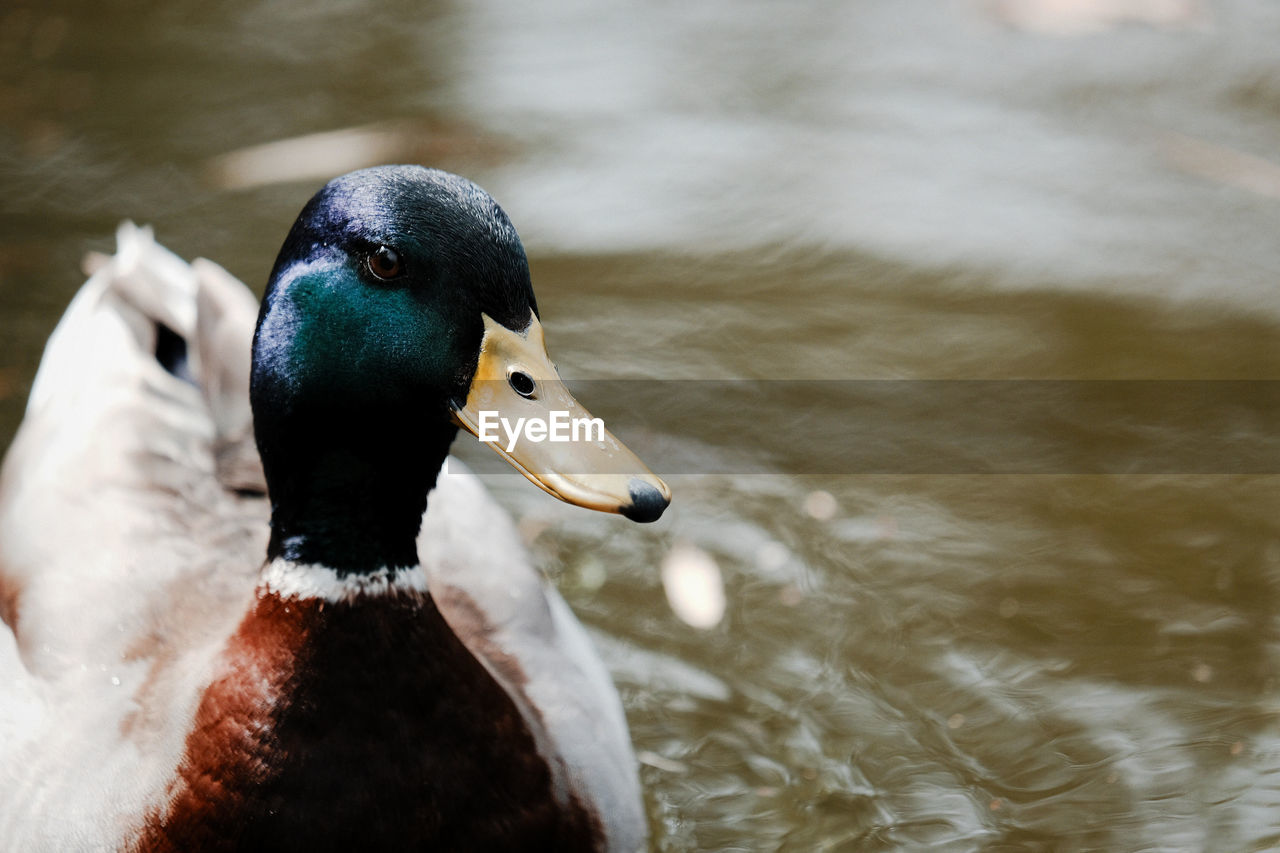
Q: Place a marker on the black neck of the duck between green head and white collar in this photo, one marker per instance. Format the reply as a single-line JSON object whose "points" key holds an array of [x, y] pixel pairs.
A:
{"points": [[350, 494]]}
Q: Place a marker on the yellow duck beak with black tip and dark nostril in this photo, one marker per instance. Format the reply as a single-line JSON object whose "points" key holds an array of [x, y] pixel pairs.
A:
{"points": [[519, 407]]}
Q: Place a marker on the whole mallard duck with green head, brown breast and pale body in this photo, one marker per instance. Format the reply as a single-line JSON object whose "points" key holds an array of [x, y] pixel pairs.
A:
{"points": [[339, 647]]}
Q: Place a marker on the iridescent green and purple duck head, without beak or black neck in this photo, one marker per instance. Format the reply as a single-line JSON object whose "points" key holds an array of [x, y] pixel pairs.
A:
{"points": [[380, 289]]}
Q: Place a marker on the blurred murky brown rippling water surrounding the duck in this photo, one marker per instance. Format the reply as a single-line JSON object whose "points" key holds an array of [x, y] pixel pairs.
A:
{"points": [[757, 191]]}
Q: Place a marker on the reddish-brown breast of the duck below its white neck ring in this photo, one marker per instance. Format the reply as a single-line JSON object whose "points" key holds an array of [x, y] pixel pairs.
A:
{"points": [[362, 726]]}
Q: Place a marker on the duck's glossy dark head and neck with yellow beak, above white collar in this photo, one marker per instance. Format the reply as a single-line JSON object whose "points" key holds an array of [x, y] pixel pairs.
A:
{"points": [[400, 309]]}
